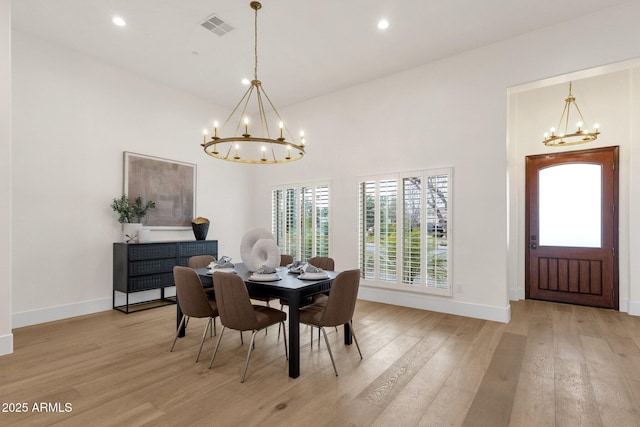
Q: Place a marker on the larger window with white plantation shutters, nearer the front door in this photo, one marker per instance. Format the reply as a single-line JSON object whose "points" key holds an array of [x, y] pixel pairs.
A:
{"points": [[405, 232]]}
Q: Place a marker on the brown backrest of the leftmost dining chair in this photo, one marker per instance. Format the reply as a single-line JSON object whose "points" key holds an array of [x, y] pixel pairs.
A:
{"points": [[191, 296]]}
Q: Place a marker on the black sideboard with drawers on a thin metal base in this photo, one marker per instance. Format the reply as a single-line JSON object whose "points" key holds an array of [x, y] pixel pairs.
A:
{"points": [[144, 266]]}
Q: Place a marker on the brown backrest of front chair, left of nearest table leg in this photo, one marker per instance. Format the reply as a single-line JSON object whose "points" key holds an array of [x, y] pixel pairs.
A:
{"points": [[234, 304]]}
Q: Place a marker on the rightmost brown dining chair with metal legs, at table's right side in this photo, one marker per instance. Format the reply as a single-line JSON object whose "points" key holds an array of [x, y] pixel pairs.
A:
{"points": [[338, 308]]}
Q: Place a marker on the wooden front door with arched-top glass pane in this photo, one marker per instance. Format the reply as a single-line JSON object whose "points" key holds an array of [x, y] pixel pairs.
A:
{"points": [[572, 227]]}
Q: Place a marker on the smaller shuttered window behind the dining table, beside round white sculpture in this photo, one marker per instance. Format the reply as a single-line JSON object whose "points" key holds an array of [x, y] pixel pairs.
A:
{"points": [[300, 220]]}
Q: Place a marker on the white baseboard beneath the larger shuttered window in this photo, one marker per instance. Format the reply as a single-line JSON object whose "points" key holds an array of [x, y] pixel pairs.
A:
{"points": [[426, 302]]}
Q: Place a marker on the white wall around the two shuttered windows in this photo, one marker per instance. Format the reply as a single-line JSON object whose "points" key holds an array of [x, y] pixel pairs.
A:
{"points": [[448, 113]]}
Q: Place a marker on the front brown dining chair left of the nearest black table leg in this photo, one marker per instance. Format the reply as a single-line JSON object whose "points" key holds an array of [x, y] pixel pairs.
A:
{"points": [[237, 312]]}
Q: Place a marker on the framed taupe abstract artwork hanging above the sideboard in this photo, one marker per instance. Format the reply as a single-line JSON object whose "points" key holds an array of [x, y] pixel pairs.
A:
{"points": [[171, 184]]}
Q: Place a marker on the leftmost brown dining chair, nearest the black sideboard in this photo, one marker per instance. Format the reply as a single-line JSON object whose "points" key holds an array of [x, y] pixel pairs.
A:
{"points": [[193, 302]]}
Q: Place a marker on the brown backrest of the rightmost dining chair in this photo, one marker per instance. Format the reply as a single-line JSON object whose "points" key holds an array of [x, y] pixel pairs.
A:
{"points": [[342, 298]]}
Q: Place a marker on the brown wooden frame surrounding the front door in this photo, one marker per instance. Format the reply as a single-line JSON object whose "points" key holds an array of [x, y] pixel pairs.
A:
{"points": [[615, 150]]}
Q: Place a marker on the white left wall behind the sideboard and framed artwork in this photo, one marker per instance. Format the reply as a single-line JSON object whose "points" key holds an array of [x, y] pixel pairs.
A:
{"points": [[72, 119]]}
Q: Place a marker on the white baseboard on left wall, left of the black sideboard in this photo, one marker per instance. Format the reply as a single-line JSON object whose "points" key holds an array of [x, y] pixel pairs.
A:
{"points": [[49, 314]]}
